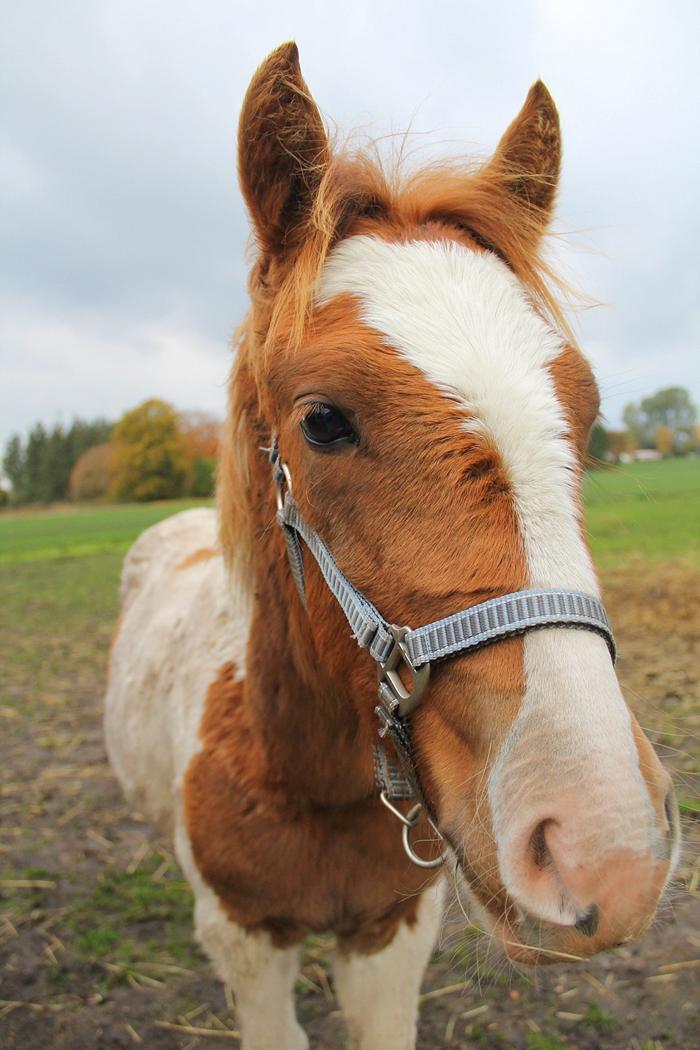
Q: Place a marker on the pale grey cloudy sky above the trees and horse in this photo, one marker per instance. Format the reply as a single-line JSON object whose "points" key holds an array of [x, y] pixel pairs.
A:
{"points": [[122, 230]]}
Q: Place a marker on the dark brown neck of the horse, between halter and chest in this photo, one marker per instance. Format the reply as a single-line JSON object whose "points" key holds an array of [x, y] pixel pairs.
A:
{"points": [[317, 740]]}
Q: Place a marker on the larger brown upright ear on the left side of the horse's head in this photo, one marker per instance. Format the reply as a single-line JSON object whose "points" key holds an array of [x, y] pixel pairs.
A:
{"points": [[283, 152]]}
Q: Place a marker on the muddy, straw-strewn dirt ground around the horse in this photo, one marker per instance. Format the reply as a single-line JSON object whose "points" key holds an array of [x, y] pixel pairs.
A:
{"points": [[96, 950]]}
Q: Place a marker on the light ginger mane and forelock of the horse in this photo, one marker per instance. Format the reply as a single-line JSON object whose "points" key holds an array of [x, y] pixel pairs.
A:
{"points": [[360, 193]]}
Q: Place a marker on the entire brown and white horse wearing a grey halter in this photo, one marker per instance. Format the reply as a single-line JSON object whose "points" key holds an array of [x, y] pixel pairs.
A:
{"points": [[407, 434]]}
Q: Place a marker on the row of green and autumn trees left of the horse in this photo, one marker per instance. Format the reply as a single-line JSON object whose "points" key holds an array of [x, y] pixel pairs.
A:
{"points": [[152, 453]]}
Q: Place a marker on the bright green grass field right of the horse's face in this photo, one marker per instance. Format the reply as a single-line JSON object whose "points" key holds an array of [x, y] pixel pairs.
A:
{"points": [[647, 510]]}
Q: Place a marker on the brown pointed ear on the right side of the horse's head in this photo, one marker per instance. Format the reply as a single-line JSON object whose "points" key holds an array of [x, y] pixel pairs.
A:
{"points": [[528, 158]]}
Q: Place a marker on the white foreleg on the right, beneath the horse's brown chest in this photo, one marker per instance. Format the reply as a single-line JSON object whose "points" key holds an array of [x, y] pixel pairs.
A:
{"points": [[378, 993]]}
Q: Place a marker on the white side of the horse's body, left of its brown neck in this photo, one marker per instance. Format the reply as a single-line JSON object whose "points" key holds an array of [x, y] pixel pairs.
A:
{"points": [[179, 627]]}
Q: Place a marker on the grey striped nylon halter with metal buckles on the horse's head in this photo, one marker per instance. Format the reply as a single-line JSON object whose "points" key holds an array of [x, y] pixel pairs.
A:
{"points": [[394, 647]]}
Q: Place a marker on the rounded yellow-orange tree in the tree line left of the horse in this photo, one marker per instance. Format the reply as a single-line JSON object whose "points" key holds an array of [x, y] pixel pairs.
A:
{"points": [[151, 457]]}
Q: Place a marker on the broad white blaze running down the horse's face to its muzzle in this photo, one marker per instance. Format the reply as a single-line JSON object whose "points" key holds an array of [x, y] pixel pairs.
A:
{"points": [[465, 322]]}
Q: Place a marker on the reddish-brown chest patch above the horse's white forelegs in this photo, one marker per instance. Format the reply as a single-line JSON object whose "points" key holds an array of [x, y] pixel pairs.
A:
{"points": [[292, 870]]}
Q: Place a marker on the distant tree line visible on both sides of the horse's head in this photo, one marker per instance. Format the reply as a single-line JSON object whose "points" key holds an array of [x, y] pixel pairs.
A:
{"points": [[155, 453]]}
